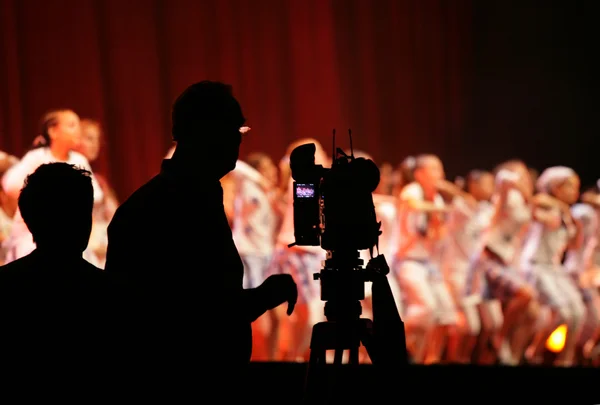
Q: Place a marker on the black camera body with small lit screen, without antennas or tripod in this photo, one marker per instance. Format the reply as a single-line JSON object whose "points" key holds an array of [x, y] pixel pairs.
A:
{"points": [[333, 208]]}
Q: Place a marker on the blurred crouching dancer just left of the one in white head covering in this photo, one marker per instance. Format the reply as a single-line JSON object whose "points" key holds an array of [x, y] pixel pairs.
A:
{"points": [[492, 277]]}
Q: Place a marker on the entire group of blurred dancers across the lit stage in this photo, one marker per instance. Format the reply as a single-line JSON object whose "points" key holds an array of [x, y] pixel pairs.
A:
{"points": [[484, 268]]}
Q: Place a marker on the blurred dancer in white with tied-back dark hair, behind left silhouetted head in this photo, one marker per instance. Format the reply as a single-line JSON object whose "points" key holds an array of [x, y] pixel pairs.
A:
{"points": [[60, 136]]}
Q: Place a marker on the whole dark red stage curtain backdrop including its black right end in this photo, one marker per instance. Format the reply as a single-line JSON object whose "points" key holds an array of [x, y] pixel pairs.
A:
{"points": [[476, 82]]}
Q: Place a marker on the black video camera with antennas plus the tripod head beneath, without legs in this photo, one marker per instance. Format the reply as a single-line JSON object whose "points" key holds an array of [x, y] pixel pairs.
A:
{"points": [[334, 209]]}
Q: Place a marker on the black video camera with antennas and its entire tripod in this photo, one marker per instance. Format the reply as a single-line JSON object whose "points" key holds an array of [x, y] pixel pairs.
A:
{"points": [[334, 209]]}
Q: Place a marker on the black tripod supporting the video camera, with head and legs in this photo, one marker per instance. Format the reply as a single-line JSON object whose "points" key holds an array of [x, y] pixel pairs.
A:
{"points": [[342, 287]]}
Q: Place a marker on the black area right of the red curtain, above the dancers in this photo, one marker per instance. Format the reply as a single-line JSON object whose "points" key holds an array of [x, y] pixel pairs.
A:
{"points": [[534, 93]]}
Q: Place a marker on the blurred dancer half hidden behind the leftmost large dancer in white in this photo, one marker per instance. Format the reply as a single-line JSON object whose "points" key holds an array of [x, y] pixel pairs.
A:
{"points": [[91, 147]]}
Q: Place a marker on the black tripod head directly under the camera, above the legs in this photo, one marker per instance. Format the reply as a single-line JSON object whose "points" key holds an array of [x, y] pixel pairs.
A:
{"points": [[343, 280]]}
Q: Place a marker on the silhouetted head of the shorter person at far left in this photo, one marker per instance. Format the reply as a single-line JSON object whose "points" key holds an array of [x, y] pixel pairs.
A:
{"points": [[56, 204]]}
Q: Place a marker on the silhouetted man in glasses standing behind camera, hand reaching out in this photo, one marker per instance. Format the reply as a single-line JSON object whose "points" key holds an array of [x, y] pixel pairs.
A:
{"points": [[171, 246]]}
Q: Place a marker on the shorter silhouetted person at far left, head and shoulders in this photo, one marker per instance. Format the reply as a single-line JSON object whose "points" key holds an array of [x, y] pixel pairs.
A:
{"points": [[53, 303]]}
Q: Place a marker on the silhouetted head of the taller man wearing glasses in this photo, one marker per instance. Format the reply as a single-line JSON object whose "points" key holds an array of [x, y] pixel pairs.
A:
{"points": [[206, 126]]}
